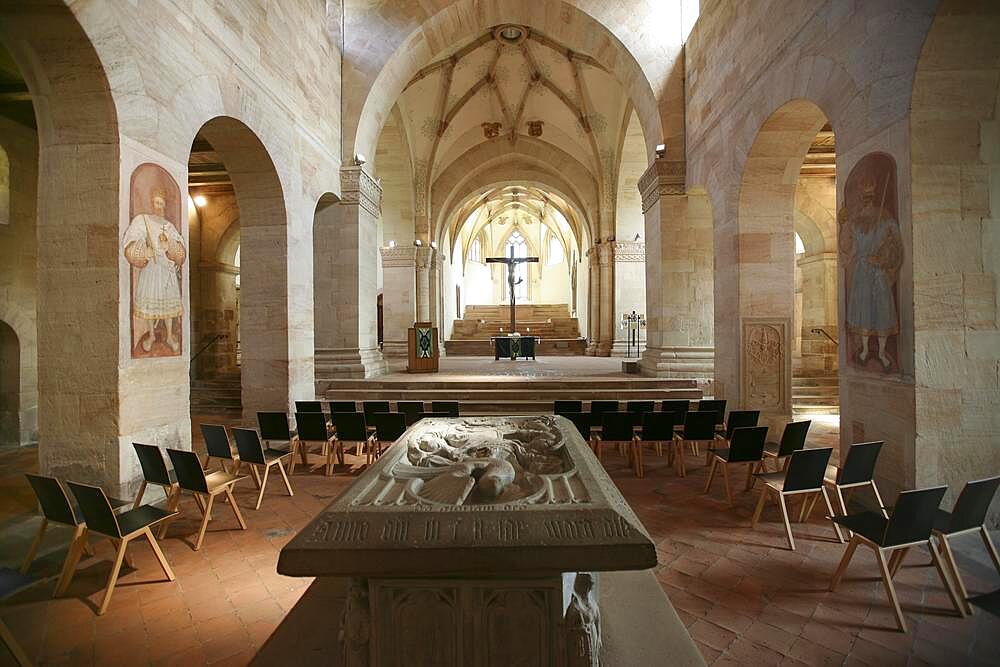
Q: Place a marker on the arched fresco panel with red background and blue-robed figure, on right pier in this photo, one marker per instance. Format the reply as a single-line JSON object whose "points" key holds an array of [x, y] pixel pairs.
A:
{"points": [[871, 252]]}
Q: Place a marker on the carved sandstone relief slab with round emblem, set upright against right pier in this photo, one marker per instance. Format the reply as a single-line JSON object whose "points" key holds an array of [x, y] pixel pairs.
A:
{"points": [[765, 358]]}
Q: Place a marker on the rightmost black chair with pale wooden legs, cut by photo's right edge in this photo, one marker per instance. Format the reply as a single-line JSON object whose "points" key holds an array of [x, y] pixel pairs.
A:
{"points": [[967, 516]]}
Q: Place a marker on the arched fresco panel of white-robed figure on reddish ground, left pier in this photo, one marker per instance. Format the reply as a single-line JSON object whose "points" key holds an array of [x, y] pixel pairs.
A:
{"points": [[153, 245]]}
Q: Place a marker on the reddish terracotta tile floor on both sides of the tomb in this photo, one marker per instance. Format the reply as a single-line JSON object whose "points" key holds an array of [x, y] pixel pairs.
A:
{"points": [[744, 597]]}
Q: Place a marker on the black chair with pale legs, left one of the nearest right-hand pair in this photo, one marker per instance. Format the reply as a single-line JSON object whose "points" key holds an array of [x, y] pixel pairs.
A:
{"points": [[909, 526]]}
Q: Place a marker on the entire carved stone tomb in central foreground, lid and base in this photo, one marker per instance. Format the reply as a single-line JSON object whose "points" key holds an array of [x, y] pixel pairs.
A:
{"points": [[468, 533]]}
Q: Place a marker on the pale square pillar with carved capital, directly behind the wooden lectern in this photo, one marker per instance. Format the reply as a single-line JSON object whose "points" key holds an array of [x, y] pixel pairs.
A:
{"points": [[398, 300]]}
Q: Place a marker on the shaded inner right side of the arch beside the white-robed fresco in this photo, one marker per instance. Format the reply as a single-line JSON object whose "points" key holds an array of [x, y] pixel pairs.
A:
{"points": [[265, 314]]}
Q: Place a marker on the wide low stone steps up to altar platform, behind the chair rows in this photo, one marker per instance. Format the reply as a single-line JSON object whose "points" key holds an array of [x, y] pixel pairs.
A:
{"points": [[506, 396]]}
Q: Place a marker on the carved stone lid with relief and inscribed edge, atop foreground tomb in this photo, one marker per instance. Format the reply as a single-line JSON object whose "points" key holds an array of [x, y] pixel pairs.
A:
{"points": [[463, 496]]}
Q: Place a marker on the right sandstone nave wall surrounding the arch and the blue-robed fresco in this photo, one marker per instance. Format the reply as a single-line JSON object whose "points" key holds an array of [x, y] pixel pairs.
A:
{"points": [[855, 62]]}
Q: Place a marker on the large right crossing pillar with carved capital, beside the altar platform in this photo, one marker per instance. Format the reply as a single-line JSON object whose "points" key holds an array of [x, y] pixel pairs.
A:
{"points": [[679, 276]]}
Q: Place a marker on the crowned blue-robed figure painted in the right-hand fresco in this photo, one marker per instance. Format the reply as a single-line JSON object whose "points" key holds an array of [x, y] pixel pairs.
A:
{"points": [[870, 242]]}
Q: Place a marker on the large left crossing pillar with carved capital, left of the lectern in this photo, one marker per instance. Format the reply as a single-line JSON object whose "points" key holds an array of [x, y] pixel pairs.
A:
{"points": [[346, 345]]}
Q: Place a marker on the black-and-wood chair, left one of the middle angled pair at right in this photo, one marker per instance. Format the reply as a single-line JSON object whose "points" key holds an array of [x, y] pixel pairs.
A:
{"points": [[804, 477]]}
